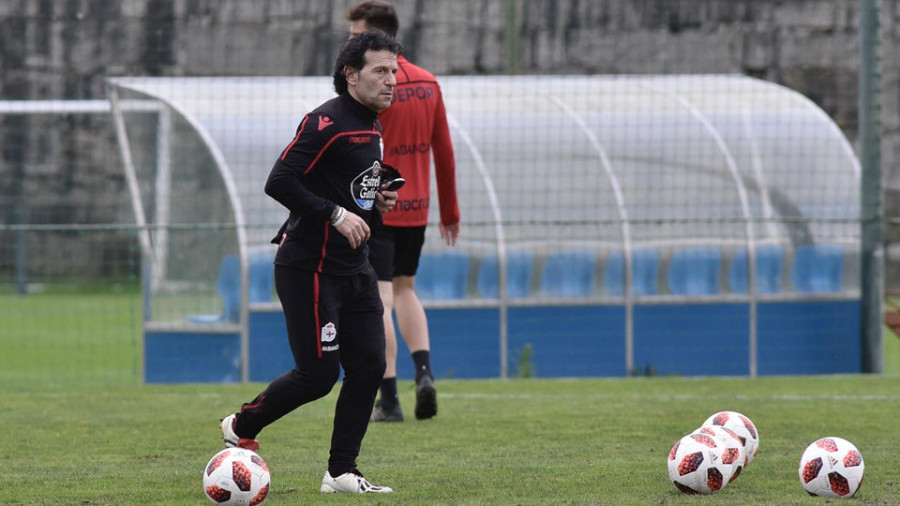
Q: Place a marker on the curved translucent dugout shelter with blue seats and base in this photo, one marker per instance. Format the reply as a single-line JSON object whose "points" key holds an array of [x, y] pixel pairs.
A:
{"points": [[612, 225]]}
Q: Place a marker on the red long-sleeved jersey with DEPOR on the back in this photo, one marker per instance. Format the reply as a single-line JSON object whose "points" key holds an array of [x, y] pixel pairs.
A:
{"points": [[414, 127]]}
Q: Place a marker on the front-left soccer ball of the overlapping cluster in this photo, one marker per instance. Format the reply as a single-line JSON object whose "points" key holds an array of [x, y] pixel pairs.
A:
{"points": [[695, 465]]}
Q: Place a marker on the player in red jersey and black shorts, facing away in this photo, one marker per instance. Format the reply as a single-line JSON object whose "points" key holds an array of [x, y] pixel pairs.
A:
{"points": [[415, 128]]}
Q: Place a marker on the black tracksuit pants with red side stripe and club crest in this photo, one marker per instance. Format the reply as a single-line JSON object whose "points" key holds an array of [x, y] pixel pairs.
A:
{"points": [[332, 322]]}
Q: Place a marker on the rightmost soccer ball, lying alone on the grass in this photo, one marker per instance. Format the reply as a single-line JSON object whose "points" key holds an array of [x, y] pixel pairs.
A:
{"points": [[831, 467]]}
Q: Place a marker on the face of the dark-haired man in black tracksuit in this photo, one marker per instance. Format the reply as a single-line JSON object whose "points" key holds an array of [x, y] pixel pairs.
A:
{"points": [[373, 85]]}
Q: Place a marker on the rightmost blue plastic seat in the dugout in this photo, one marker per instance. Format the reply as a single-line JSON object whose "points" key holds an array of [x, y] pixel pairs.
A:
{"points": [[818, 268]]}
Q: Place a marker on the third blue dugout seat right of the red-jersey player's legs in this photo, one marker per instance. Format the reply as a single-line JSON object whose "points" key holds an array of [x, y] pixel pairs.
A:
{"points": [[569, 273]]}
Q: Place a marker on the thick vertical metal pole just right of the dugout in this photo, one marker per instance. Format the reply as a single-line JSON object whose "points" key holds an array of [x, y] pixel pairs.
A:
{"points": [[872, 254]]}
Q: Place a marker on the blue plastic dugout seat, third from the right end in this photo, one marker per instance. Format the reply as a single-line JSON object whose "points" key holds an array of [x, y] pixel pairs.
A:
{"points": [[695, 271]]}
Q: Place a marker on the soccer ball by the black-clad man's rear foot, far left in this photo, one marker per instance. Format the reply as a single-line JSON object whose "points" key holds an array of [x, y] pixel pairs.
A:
{"points": [[236, 476]]}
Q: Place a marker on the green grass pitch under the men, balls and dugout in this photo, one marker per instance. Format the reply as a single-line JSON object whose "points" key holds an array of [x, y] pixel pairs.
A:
{"points": [[79, 431]]}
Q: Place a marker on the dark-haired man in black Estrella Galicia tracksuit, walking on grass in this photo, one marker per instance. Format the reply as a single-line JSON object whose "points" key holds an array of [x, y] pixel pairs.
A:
{"points": [[330, 178]]}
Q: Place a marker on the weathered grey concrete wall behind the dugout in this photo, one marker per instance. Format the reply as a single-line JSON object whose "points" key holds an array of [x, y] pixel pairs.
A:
{"points": [[65, 49]]}
